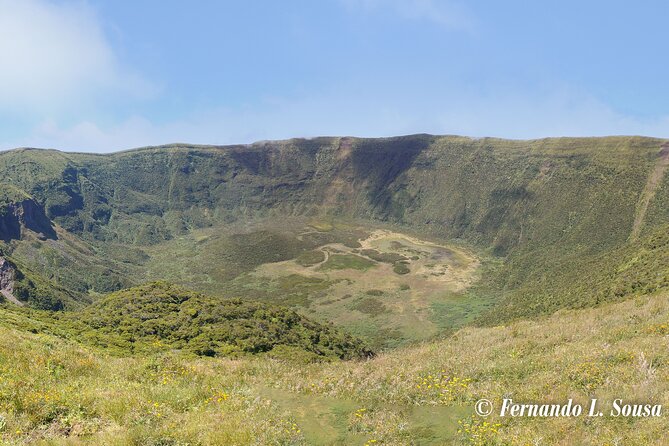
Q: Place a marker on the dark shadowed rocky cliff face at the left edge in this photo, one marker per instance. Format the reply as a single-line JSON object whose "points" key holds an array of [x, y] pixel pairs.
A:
{"points": [[17, 217]]}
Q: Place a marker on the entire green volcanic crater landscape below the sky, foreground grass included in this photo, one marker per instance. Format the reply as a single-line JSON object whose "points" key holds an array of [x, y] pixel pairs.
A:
{"points": [[537, 269]]}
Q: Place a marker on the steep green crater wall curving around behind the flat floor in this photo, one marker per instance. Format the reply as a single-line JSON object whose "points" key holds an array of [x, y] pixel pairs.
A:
{"points": [[546, 207]]}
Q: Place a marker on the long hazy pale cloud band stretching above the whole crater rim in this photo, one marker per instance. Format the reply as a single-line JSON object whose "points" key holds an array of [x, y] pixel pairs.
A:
{"points": [[507, 114]]}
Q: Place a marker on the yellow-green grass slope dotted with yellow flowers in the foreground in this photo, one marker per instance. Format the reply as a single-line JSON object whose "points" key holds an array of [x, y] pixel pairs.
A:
{"points": [[56, 392]]}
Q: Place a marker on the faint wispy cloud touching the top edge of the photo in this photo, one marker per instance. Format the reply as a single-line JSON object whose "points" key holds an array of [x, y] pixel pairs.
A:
{"points": [[447, 13]]}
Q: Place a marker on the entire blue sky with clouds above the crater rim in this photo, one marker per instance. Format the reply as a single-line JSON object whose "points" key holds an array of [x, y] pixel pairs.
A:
{"points": [[107, 75]]}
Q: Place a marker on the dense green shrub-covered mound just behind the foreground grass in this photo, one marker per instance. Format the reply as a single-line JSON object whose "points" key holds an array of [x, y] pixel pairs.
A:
{"points": [[162, 317]]}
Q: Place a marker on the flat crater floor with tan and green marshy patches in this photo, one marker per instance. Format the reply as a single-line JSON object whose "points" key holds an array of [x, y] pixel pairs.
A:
{"points": [[384, 285]]}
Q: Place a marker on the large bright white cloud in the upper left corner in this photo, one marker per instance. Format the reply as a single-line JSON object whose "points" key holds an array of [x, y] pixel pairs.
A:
{"points": [[54, 57]]}
